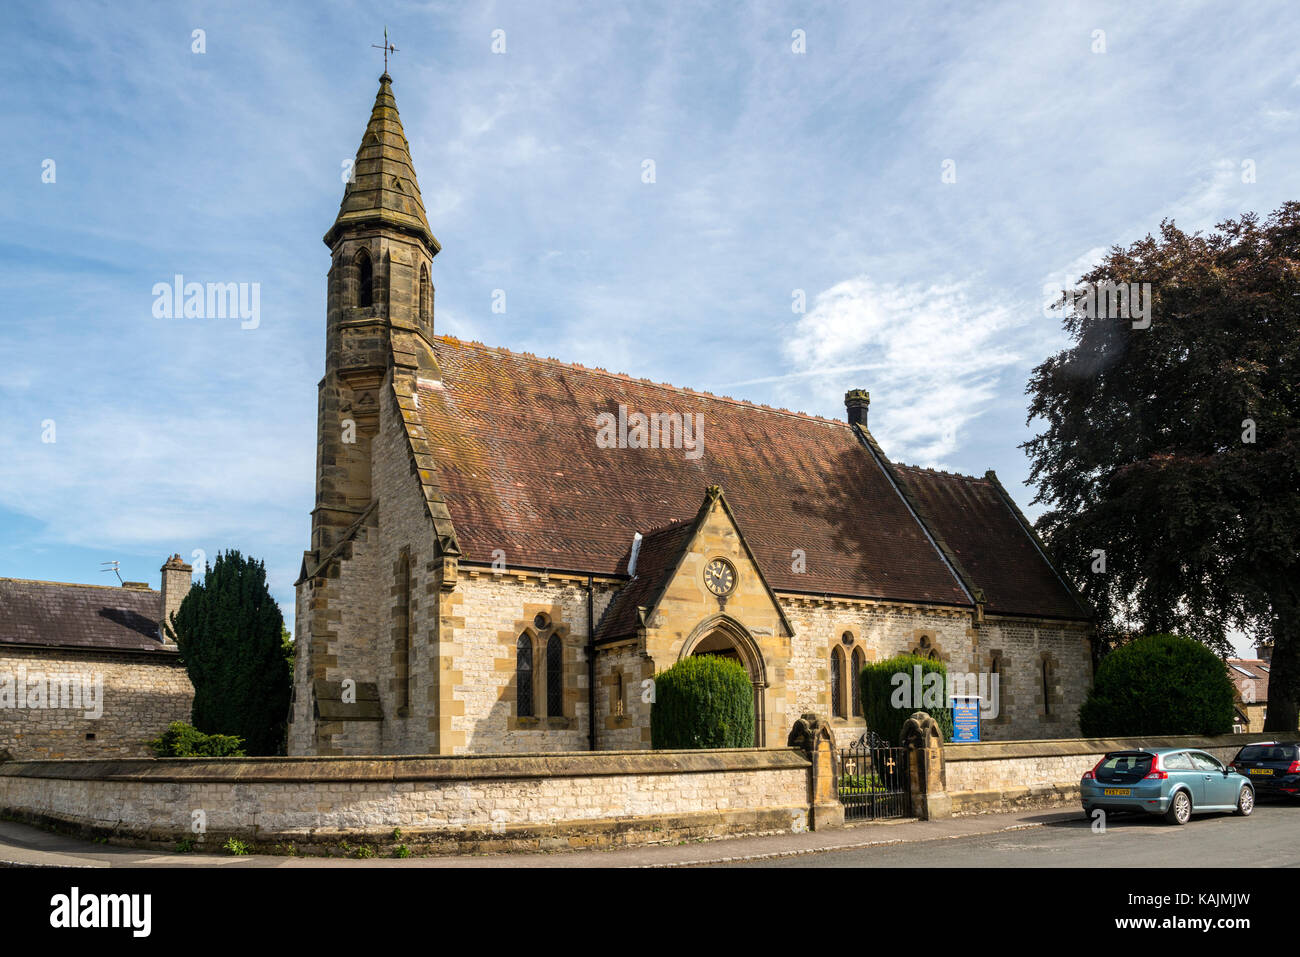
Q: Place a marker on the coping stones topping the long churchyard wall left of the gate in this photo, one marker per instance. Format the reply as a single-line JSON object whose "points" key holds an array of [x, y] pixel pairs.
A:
{"points": [[410, 768]]}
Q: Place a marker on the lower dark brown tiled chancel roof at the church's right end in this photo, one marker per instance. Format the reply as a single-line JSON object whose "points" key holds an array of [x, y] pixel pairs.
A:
{"points": [[993, 543]]}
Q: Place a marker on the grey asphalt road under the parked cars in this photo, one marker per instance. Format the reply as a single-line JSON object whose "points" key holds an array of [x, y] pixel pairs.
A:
{"points": [[1269, 838]]}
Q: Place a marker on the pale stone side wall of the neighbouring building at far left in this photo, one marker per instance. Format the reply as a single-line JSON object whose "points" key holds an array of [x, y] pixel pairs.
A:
{"points": [[141, 698]]}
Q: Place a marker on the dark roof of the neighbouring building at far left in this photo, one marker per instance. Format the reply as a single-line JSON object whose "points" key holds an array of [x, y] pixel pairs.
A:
{"points": [[50, 613]]}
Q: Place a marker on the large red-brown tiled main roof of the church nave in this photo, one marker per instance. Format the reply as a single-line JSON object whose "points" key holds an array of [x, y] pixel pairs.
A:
{"points": [[518, 464]]}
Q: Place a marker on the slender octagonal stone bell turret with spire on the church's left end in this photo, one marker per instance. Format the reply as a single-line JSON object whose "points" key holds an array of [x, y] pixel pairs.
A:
{"points": [[379, 314]]}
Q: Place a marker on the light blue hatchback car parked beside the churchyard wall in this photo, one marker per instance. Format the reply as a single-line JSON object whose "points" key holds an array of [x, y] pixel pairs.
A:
{"points": [[1173, 782]]}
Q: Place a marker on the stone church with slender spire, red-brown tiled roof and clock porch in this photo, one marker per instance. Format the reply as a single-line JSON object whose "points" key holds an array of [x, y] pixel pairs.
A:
{"points": [[506, 549]]}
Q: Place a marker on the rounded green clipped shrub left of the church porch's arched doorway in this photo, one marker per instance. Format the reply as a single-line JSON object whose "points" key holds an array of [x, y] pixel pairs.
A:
{"points": [[703, 701]]}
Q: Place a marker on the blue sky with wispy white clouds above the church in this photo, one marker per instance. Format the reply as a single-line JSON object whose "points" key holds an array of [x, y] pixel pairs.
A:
{"points": [[917, 175]]}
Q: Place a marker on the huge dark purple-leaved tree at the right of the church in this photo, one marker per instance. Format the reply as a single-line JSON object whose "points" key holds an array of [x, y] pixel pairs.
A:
{"points": [[1176, 449]]}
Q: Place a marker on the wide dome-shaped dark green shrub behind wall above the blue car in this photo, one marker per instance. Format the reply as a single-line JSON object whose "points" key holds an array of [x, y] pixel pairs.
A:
{"points": [[1162, 685]]}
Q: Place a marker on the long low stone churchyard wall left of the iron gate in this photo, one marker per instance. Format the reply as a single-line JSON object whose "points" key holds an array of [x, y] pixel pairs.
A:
{"points": [[541, 800]]}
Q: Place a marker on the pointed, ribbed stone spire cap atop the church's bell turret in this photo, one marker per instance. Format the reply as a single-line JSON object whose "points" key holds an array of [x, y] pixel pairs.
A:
{"points": [[384, 189]]}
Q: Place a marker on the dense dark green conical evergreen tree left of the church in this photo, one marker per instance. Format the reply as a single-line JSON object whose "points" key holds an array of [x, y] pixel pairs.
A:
{"points": [[231, 635]]}
